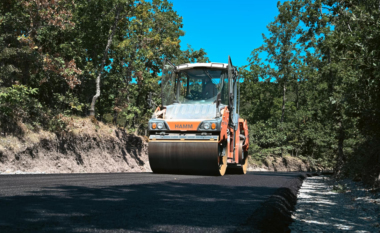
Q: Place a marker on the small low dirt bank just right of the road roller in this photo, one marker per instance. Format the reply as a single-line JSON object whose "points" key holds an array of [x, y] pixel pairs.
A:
{"points": [[284, 164]]}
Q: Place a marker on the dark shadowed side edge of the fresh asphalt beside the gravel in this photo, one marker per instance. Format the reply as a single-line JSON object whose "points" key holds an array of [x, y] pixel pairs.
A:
{"points": [[275, 214]]}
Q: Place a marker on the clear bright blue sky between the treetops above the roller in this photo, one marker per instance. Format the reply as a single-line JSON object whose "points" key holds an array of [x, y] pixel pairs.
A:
{"points": [[224, 27]]}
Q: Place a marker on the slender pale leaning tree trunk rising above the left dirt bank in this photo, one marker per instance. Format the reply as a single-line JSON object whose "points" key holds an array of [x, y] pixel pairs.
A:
{"points": [[96, 96]]}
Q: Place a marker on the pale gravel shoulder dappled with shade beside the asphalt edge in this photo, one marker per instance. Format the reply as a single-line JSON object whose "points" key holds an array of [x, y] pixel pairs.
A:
{"points": [[327, 206]]}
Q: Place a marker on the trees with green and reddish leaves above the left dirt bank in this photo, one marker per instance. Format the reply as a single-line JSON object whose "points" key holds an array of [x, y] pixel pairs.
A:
{"points": [[57, 48]]}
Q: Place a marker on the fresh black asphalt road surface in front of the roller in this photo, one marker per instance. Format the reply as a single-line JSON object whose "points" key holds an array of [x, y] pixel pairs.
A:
{"points": [[133, 202]]}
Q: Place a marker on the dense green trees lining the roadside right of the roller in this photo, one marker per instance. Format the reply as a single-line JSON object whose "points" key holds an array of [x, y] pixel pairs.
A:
{"points": [[313, 88]]}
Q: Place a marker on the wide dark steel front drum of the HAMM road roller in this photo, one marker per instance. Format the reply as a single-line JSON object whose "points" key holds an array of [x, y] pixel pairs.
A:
{"points": [[186, 157]]}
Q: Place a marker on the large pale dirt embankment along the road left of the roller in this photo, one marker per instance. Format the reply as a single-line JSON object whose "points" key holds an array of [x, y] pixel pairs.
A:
{"points": [[82, 149]]}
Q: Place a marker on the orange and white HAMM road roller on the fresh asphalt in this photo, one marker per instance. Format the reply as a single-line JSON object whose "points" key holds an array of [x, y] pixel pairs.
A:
{"points": [[197, 128]]}
